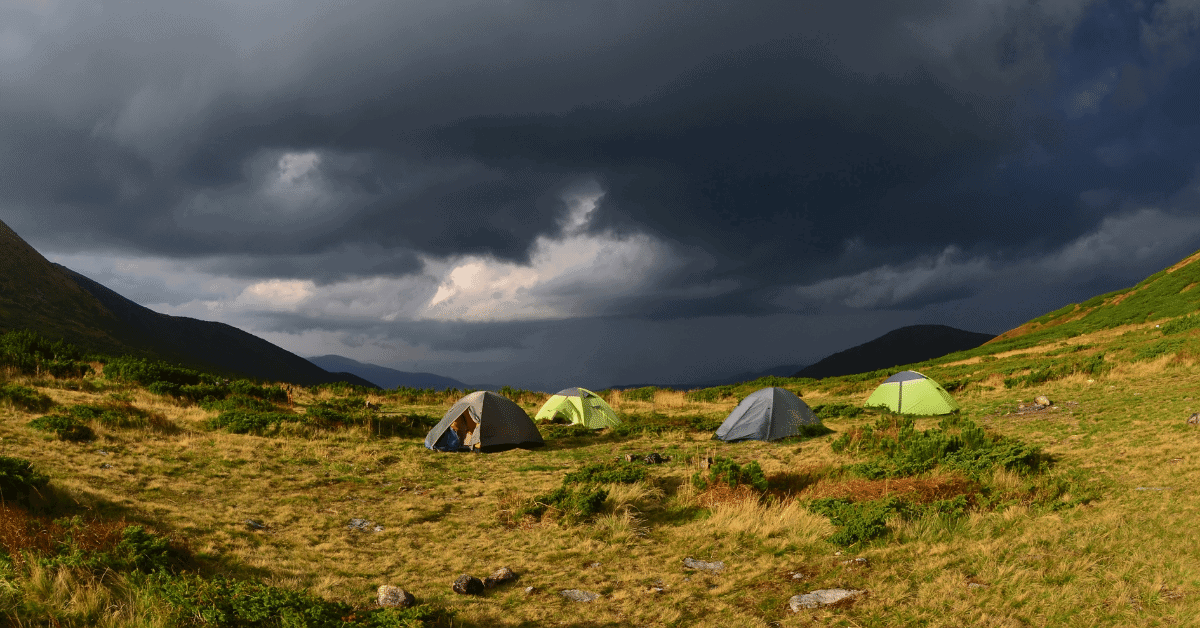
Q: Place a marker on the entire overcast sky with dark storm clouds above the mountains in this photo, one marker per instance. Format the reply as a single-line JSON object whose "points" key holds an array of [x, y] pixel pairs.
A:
{"points": [[596, 193]]}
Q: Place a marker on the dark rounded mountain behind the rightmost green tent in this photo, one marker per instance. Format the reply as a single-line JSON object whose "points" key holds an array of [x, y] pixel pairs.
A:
{"points": [[908, 345]]}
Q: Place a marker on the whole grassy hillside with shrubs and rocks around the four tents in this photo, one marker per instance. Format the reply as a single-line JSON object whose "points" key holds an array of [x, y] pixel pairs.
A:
{"points": [[1006, 515]]}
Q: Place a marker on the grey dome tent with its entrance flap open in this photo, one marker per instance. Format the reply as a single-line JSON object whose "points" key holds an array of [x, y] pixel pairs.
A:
{"points": [[484, 422]]}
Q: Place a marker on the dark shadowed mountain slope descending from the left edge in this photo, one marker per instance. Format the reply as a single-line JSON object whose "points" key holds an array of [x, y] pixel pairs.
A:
{"points": [[59, 303]]}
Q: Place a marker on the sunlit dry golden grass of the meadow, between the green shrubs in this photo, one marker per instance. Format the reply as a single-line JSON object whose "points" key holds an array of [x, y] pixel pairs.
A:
{"points": [[1124, 560]]}
